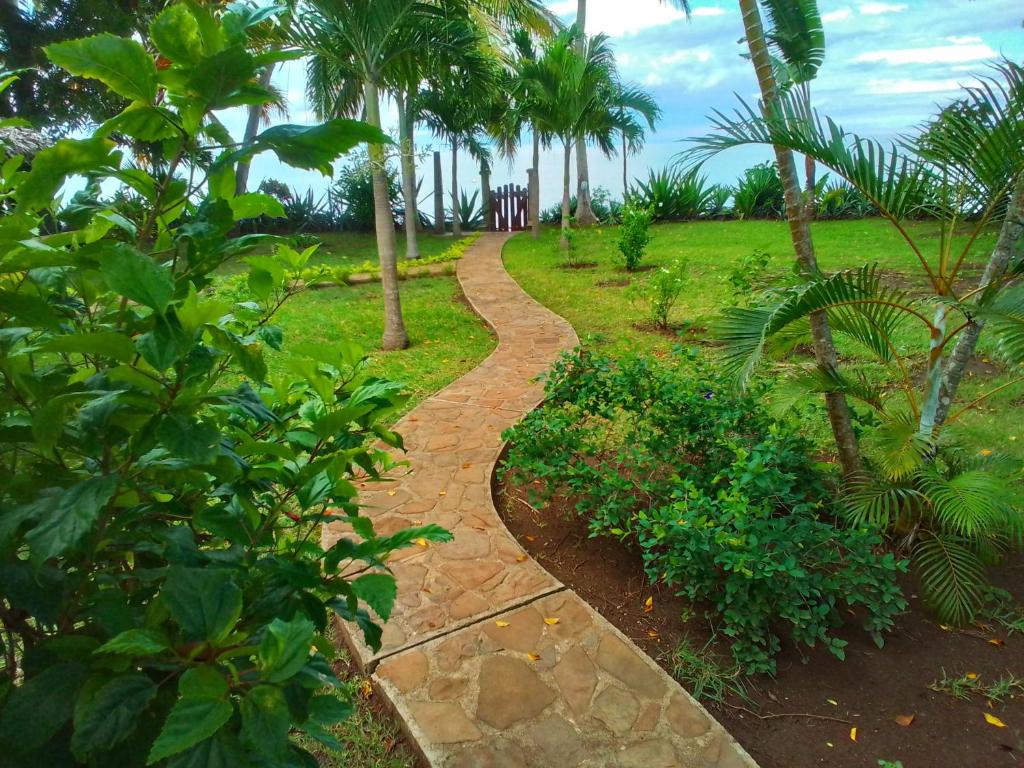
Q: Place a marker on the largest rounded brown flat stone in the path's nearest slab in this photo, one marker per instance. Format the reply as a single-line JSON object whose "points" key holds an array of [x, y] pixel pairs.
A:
{"points": [[510, 692]]}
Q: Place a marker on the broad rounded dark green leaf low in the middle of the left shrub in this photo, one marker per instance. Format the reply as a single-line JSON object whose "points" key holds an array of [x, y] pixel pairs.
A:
{"points": [[205, 603]]}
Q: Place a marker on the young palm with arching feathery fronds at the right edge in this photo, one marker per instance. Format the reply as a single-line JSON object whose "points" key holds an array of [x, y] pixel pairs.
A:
{"points": [[954, 511]]}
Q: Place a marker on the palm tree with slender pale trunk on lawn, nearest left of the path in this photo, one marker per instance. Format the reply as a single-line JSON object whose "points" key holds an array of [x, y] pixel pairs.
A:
{"points": [[355, 48]]}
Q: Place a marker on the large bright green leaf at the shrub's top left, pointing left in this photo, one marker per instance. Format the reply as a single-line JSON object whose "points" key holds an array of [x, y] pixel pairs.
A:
{"points": [[120, 64]]}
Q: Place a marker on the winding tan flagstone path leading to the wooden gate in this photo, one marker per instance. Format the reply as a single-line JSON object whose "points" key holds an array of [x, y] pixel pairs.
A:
{"points": [[489, 662]]}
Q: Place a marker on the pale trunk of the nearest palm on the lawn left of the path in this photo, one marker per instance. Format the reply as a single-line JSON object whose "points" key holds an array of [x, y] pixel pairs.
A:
{"points": [[395, 329]]}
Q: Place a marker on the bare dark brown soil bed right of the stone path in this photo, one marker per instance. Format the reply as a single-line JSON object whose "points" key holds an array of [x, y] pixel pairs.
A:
{"points": [[870, 690]]}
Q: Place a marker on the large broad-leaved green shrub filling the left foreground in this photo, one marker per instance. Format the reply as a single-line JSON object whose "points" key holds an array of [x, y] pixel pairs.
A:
{"points": [[164, 591]]}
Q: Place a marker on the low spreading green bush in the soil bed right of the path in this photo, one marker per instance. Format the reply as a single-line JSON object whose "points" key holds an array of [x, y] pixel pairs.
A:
{"points": [[722, 501]]}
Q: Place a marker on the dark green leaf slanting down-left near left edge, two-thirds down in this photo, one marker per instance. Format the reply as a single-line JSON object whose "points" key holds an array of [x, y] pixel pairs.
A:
{"points": [[74, 515]]}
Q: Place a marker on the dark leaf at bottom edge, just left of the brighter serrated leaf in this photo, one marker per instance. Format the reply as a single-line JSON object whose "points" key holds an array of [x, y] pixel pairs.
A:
{"points": [[108, 715]]}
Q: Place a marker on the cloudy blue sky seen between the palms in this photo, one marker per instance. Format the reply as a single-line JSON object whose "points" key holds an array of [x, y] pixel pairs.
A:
{"points": [[887, 67]]}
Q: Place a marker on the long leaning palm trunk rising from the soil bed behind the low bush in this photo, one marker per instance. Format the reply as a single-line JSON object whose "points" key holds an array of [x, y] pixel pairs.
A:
{"points": [[800, 232]]}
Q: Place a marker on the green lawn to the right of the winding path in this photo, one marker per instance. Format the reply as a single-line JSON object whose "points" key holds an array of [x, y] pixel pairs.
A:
{"points": [[610, 320]]}
